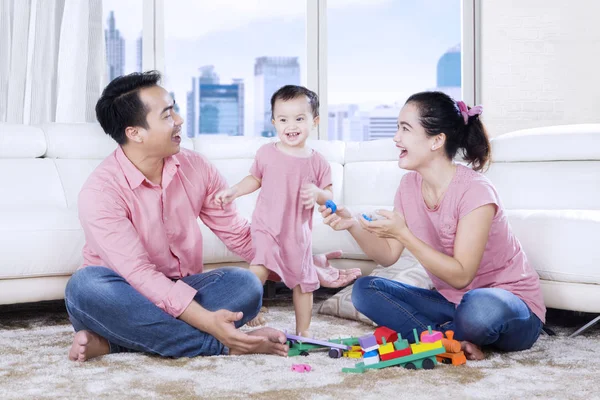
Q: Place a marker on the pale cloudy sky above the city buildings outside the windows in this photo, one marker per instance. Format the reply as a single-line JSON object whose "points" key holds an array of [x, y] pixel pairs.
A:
{"points": [[378, 51]]}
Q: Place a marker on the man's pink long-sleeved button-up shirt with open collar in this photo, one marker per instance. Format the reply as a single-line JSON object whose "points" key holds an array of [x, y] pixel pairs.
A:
{"points": [[148, 233]]}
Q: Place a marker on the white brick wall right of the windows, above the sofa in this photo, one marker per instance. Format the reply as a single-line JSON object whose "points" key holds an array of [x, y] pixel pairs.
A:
{"points": [[540, 63]]}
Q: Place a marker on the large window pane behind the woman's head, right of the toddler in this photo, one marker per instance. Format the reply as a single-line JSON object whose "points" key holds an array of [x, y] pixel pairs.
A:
{"points": [[381, 52]]}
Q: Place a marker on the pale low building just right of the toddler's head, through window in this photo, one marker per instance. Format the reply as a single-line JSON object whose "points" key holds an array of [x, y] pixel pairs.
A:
{"points": [[347, 123]]}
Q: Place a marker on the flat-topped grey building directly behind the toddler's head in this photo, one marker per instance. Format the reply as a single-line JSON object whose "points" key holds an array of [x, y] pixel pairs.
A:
{"points": [[271, 73]]}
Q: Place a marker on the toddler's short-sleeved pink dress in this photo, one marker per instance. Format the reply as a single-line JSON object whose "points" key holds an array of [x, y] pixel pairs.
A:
{"points": [[281, 226]]}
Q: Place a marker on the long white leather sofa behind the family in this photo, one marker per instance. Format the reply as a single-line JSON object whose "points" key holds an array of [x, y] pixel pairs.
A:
{"points": [[548, 179]]}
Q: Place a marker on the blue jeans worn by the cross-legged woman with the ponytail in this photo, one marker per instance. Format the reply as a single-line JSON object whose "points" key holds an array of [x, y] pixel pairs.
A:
{"points": [[485, 317]]}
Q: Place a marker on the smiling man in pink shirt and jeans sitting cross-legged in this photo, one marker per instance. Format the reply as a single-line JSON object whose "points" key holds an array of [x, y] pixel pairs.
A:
{"points": [[142, 286]]}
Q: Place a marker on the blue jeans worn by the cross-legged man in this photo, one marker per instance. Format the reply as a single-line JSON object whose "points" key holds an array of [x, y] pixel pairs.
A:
{"points": [[100, 300]]}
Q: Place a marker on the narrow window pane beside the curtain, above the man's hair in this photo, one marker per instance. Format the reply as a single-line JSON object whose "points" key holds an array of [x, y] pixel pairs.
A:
{"points": [[122, 23]]}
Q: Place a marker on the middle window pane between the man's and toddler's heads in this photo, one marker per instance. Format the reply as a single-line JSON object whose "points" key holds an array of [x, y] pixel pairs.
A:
{"points": [[224, 59]]}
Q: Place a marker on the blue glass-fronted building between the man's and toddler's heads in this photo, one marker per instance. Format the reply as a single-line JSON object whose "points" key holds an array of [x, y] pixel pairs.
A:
{"points": [[214, 108]]}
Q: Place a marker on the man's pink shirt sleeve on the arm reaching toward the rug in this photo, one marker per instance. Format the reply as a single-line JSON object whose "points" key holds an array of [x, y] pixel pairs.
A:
{"points": [[112, 236]]}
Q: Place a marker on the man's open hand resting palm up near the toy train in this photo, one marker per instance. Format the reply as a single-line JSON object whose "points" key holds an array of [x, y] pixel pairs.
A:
{"points": [[223, 329]]}
